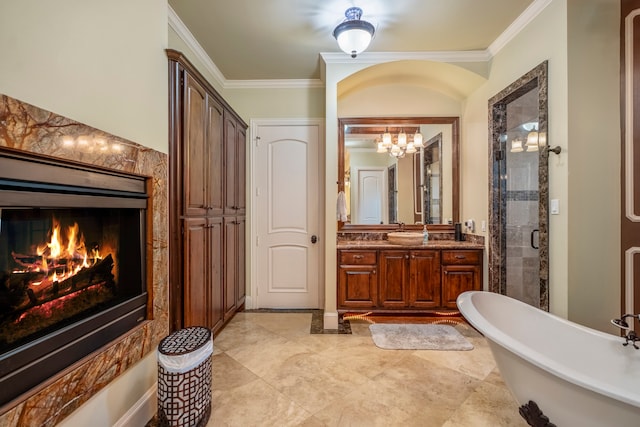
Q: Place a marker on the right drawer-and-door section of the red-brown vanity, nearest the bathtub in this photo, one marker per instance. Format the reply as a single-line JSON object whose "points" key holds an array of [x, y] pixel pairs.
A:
{"points": [[461, 271]]}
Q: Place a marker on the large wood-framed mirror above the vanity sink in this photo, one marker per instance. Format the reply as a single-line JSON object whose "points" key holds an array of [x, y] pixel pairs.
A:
{"points": [[385, 185]]}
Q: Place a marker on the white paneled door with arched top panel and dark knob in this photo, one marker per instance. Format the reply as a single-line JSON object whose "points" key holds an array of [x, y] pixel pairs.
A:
{"points": [[286, 215]]}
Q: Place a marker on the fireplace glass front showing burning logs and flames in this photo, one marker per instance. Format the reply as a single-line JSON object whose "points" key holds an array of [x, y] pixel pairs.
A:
{"points": [[59, 266]]}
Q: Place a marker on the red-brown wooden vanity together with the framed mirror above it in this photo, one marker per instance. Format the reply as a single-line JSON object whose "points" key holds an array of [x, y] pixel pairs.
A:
{"points": [[386, 193]]}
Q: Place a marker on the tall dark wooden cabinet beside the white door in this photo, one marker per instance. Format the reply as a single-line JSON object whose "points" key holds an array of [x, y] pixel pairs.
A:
{"points": [[207, 201]]}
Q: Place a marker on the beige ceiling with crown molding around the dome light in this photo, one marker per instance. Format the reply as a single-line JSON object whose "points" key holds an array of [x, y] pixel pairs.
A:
{"points": [[283, 39]]}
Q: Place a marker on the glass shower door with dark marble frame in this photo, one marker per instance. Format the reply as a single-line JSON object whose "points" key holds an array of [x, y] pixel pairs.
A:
{"points": [[518, 252]]}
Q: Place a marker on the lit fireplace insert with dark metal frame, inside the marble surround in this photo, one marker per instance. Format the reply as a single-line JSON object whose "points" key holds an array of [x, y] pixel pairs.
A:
{"points": [[72, 264]]}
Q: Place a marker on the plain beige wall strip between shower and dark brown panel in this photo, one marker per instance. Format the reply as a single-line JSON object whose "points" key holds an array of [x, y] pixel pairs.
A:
{"points": [[593, 234]]}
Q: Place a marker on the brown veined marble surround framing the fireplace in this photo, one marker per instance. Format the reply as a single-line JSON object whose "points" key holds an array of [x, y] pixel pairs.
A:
{"points": [[31, 129]]}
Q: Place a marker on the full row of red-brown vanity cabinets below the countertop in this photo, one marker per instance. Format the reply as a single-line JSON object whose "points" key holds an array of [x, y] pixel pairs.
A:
{"points": [[410, 280]]}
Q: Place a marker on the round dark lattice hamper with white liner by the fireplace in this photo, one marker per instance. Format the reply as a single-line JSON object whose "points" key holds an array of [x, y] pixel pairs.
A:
{"points": [[184, 378]]}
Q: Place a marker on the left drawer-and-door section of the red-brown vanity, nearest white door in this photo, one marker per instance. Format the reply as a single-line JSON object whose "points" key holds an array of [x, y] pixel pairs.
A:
{"points": [[357, 275]]}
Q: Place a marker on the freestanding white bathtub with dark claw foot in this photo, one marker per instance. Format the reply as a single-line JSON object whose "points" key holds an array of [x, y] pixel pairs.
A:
{"points": [[576, 375]]}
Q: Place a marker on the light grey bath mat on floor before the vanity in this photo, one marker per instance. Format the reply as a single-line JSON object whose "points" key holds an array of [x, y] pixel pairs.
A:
{"points": [[393, 336]]}
